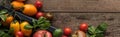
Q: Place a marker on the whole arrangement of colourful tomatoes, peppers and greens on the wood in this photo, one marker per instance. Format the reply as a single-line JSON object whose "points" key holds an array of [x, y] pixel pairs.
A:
{"points": [[13, 22]]}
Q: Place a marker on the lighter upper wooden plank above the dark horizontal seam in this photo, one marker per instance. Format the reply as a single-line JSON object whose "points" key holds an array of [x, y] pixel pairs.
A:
{"points": [[81, 5]]}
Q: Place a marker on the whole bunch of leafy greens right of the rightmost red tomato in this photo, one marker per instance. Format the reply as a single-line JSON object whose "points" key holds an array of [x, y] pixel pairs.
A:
{"points": [[97, 32]]}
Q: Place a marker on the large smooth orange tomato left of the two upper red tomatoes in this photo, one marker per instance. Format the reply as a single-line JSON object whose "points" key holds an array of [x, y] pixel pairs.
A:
{"points": [[29, 10]]}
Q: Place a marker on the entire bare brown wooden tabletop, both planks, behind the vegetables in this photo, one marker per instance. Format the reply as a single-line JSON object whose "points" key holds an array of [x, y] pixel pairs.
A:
{"points": [[63, 18]]}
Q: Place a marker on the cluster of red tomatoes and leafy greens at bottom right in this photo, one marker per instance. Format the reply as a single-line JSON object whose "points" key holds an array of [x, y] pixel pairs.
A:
{"points": [[86, 30]]}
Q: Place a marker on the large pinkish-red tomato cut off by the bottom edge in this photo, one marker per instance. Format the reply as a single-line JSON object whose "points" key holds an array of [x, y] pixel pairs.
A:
{"points": [[42, 33]]}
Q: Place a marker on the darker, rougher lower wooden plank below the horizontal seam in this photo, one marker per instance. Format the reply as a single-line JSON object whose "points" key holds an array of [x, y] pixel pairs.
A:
{"points": [[73, 21]]}
